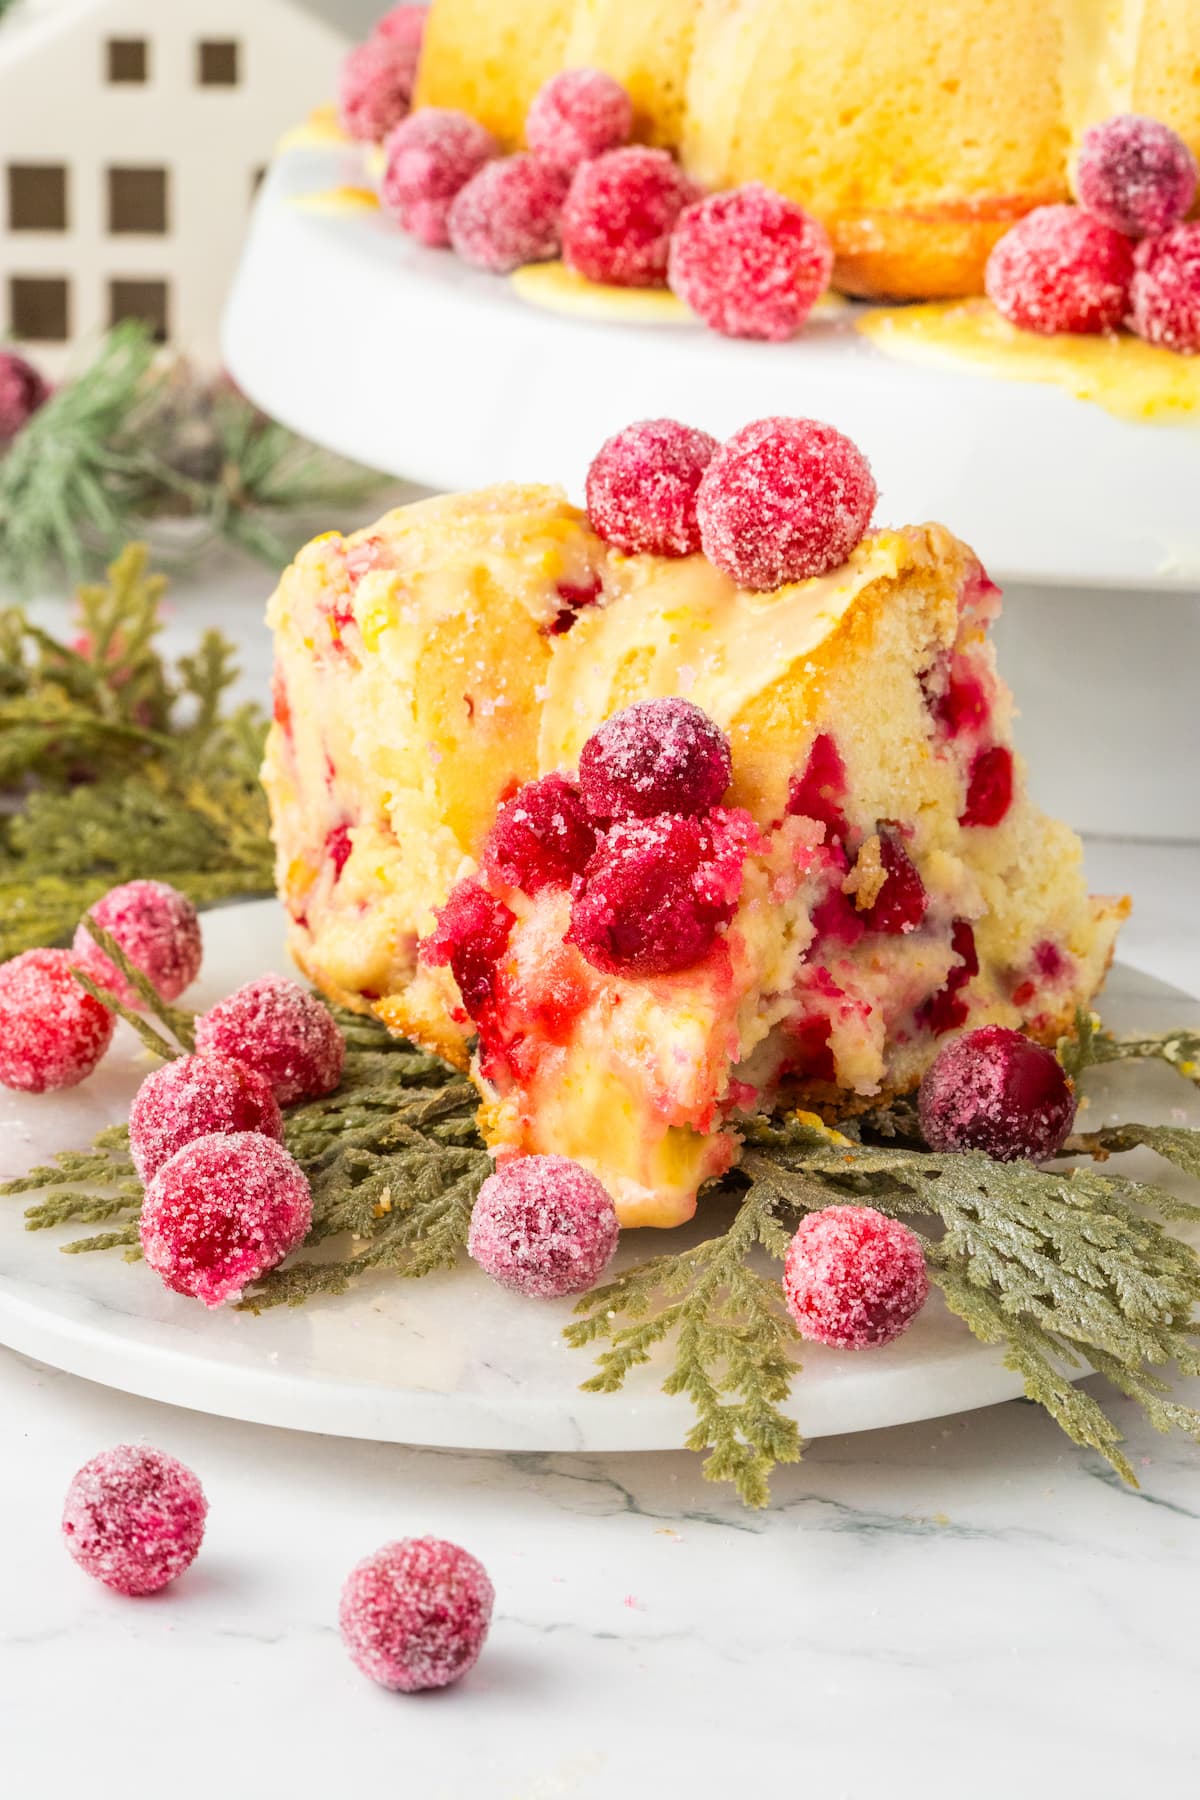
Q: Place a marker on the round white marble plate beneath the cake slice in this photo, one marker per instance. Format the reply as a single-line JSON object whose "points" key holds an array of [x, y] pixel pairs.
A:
{"points": [[451, 1360]]}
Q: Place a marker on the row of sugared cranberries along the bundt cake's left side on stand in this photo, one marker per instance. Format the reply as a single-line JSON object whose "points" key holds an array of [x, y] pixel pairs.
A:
{"points": [[749, 264]]}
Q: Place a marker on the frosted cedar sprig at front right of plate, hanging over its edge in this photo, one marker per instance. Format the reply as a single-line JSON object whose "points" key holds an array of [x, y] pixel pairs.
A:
{"points": [[1061, 1270]]}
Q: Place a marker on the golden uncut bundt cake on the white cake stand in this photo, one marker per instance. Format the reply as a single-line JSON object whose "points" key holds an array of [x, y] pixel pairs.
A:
{"points": [[915, 132]]}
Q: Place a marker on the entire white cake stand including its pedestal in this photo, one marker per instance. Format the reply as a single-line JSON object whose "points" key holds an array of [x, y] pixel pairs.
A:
{"points": [[424, 368]]}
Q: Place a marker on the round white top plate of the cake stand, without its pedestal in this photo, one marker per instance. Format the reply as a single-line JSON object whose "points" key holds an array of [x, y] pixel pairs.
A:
{"points": [[425, 368]]}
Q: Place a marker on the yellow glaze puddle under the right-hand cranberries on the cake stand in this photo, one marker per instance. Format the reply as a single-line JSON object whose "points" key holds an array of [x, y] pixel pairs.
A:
{"points": [[1124, 375]]}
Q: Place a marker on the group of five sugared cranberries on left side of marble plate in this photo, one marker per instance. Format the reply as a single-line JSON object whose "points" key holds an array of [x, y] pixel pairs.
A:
{"points": [[224, 1200]]}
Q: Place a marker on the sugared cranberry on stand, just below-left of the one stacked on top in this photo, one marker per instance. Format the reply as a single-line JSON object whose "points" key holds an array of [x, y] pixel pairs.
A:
{"points": [[508, 213]]}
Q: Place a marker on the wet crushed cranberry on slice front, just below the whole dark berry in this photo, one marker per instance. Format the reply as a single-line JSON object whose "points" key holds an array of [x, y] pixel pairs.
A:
{"points": [[658, 892]]}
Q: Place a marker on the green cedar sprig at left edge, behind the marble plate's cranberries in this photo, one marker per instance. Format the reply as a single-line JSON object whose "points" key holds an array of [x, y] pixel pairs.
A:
{"points": [[114, 762]]}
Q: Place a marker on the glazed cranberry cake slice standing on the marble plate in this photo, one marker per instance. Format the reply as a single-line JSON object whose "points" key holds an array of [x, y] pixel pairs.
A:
{"points": [[857, 874]]}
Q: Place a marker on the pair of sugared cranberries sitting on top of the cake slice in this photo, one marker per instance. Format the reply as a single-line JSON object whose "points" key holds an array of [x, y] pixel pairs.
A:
{"points": [[780, 501]]}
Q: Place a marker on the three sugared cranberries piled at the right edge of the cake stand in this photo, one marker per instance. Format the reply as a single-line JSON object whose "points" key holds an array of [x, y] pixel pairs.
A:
{"points": [[1122, 256]]}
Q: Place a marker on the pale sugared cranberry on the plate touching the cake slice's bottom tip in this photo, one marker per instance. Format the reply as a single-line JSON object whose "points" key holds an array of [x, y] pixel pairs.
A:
{"points": [[544, 1227]]}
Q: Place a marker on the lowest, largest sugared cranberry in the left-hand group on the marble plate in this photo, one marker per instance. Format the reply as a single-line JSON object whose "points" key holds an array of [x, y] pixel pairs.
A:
{"points": [[222, 1212]]}
